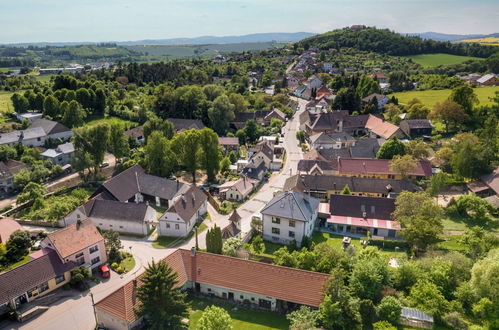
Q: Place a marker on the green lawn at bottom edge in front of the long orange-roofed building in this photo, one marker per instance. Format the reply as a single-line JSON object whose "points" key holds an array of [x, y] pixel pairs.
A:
{"points": [[242, 318]]}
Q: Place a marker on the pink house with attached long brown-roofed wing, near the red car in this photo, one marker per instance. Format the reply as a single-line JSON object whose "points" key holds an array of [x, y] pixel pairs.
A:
{"points": [[78, 245]]}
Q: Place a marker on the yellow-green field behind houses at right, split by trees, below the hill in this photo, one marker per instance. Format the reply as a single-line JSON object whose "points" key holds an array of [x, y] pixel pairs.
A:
{"points": [[430, 97]]}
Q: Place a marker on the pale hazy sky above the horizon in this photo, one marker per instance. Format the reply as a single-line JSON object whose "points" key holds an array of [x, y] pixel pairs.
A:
{"points": [[128, 20]]}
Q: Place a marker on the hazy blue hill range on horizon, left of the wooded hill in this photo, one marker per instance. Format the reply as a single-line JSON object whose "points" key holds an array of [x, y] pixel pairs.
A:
{"points": [[204, 40]]}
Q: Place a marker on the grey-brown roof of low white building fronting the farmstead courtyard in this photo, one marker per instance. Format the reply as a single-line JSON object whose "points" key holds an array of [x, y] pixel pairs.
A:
{"points": [[115, 210]]}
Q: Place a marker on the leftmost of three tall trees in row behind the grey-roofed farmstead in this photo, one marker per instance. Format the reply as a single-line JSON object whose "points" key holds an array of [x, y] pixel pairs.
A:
{"points": [[159, 158]]}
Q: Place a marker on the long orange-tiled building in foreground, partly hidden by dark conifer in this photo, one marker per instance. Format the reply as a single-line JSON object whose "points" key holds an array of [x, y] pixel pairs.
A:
{"points": [[257, 284]]}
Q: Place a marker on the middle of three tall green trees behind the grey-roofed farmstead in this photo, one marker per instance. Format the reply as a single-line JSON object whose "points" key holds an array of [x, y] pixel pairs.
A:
{"points": [[186, 146]]}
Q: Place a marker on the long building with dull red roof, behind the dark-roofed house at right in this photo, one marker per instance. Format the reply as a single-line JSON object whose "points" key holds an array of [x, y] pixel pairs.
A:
{"points": [[380, 168]]}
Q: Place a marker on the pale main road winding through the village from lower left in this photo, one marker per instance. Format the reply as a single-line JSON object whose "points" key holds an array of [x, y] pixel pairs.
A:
{"points": [[77, 312]]}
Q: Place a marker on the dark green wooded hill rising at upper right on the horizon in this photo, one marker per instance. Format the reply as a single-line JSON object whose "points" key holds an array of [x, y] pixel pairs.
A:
{"points": [[388, 42]]}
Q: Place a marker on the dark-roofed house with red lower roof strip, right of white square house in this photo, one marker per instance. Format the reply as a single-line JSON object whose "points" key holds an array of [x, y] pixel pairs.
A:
{"points": [[358, 215]]}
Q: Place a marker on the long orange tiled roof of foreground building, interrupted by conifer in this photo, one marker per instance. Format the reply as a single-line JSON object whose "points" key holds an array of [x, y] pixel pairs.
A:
{"points": [[284, 283]]}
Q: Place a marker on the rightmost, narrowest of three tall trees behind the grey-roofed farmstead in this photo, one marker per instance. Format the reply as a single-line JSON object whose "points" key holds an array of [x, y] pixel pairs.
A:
{"points": [[210, 155]]}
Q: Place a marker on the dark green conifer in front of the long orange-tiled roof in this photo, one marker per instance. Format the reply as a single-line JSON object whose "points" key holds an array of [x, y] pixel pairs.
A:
{"points": [[162, 305]]}
